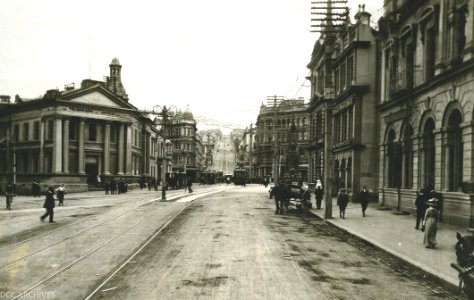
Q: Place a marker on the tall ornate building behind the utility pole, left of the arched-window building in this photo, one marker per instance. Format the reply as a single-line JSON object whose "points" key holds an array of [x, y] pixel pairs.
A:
{"points": [[343, 131]]}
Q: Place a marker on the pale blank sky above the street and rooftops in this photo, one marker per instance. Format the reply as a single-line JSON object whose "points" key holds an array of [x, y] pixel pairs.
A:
{"points": [[220, 57]]}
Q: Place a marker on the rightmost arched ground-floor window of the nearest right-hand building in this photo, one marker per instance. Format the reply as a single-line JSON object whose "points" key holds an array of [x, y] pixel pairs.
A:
{"points": [[455, 149]]}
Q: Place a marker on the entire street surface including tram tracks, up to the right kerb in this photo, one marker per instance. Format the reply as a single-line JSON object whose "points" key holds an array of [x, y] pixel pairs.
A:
{"points": [[220, 242]]}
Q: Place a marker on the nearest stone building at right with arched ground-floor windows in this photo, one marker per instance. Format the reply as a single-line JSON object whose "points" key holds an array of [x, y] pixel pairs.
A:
{"points": [[426, 105]]}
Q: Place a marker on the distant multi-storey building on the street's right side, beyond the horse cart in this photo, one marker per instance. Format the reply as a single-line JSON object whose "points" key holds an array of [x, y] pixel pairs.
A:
{"points": [[281, 132]]}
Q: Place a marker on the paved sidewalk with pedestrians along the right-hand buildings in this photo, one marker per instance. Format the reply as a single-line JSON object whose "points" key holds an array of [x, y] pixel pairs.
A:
{"points": [[396, 234]]}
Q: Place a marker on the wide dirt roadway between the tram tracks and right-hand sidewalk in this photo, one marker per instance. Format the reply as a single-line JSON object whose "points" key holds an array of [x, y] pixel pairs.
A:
{"points": [[231, 245]]}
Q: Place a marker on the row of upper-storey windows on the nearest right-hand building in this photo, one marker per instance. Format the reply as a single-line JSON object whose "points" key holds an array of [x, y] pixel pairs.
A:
{"points": [[405, 68]]}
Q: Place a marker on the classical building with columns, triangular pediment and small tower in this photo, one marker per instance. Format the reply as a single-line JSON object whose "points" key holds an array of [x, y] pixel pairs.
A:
{"points": [[77, 136]]}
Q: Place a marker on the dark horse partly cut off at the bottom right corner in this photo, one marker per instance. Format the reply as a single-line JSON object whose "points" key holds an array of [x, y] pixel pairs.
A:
{"points": [[465, 263]]}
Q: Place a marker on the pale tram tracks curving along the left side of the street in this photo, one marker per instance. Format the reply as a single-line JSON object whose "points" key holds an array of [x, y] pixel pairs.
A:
{"points": [[143, 220]]}
